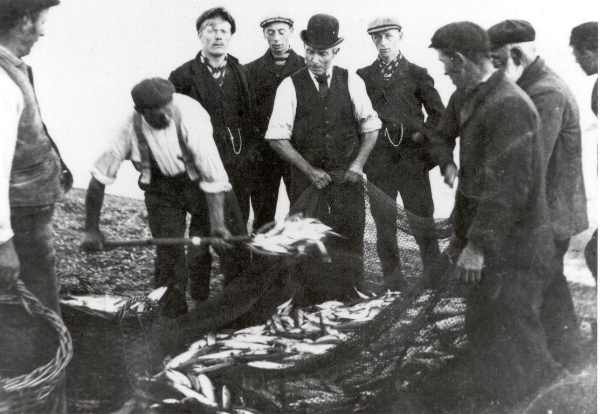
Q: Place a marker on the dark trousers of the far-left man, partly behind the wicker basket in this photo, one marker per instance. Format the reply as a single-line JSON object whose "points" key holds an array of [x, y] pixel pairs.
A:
{"points": [[27, 342]]}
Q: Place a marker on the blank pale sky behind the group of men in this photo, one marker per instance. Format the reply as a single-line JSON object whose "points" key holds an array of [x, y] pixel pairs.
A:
{"points": [[94, 51]]}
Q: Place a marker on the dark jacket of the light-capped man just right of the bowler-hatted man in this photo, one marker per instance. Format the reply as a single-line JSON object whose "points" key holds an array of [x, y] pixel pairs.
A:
{"points": [[399, 102]]}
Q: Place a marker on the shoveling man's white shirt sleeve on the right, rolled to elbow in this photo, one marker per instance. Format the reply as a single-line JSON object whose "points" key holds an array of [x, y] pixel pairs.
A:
{"points": [[199, 134]]}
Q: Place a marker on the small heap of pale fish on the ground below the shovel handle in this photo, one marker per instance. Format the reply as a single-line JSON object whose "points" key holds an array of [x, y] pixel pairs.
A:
{"points": [[111, 306]]}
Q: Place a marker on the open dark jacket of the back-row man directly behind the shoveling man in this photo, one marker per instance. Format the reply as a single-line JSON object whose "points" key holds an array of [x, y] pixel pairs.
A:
{"points": [[193, 79]]}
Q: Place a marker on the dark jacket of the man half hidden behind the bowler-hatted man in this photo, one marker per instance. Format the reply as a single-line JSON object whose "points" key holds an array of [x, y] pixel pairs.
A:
{"points": [[264, 76]]}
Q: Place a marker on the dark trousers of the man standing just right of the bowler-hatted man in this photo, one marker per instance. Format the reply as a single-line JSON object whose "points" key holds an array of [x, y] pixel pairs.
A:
{"points": [[410, 178]]}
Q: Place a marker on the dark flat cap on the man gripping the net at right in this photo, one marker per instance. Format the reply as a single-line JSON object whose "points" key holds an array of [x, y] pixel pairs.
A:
{"points": [[464, 37]]}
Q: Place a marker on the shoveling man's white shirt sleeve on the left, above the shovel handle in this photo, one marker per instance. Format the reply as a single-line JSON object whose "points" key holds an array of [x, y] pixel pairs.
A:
{"points": [[107, 166]]}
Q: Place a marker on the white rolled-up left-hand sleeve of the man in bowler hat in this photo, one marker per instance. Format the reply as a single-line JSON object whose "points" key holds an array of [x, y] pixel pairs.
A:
{"points": [[281, 123]]}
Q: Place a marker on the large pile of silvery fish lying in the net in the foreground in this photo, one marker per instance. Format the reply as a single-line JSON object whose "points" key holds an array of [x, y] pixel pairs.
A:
{"points": [[289, 336]]}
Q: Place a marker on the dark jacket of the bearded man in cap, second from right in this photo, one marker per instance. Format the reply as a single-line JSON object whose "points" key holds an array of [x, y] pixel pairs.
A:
{"points": [[560, 135]]}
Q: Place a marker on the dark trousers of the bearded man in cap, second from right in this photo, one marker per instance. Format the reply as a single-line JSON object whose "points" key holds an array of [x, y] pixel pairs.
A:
{"points": [[558, 311]]}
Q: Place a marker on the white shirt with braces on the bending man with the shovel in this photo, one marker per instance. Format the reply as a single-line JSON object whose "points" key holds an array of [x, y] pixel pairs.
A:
{"points": [[164, 145]]}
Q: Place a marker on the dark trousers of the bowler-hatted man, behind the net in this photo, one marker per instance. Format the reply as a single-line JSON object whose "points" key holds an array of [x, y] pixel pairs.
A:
{"points": [[342, 207]]}
